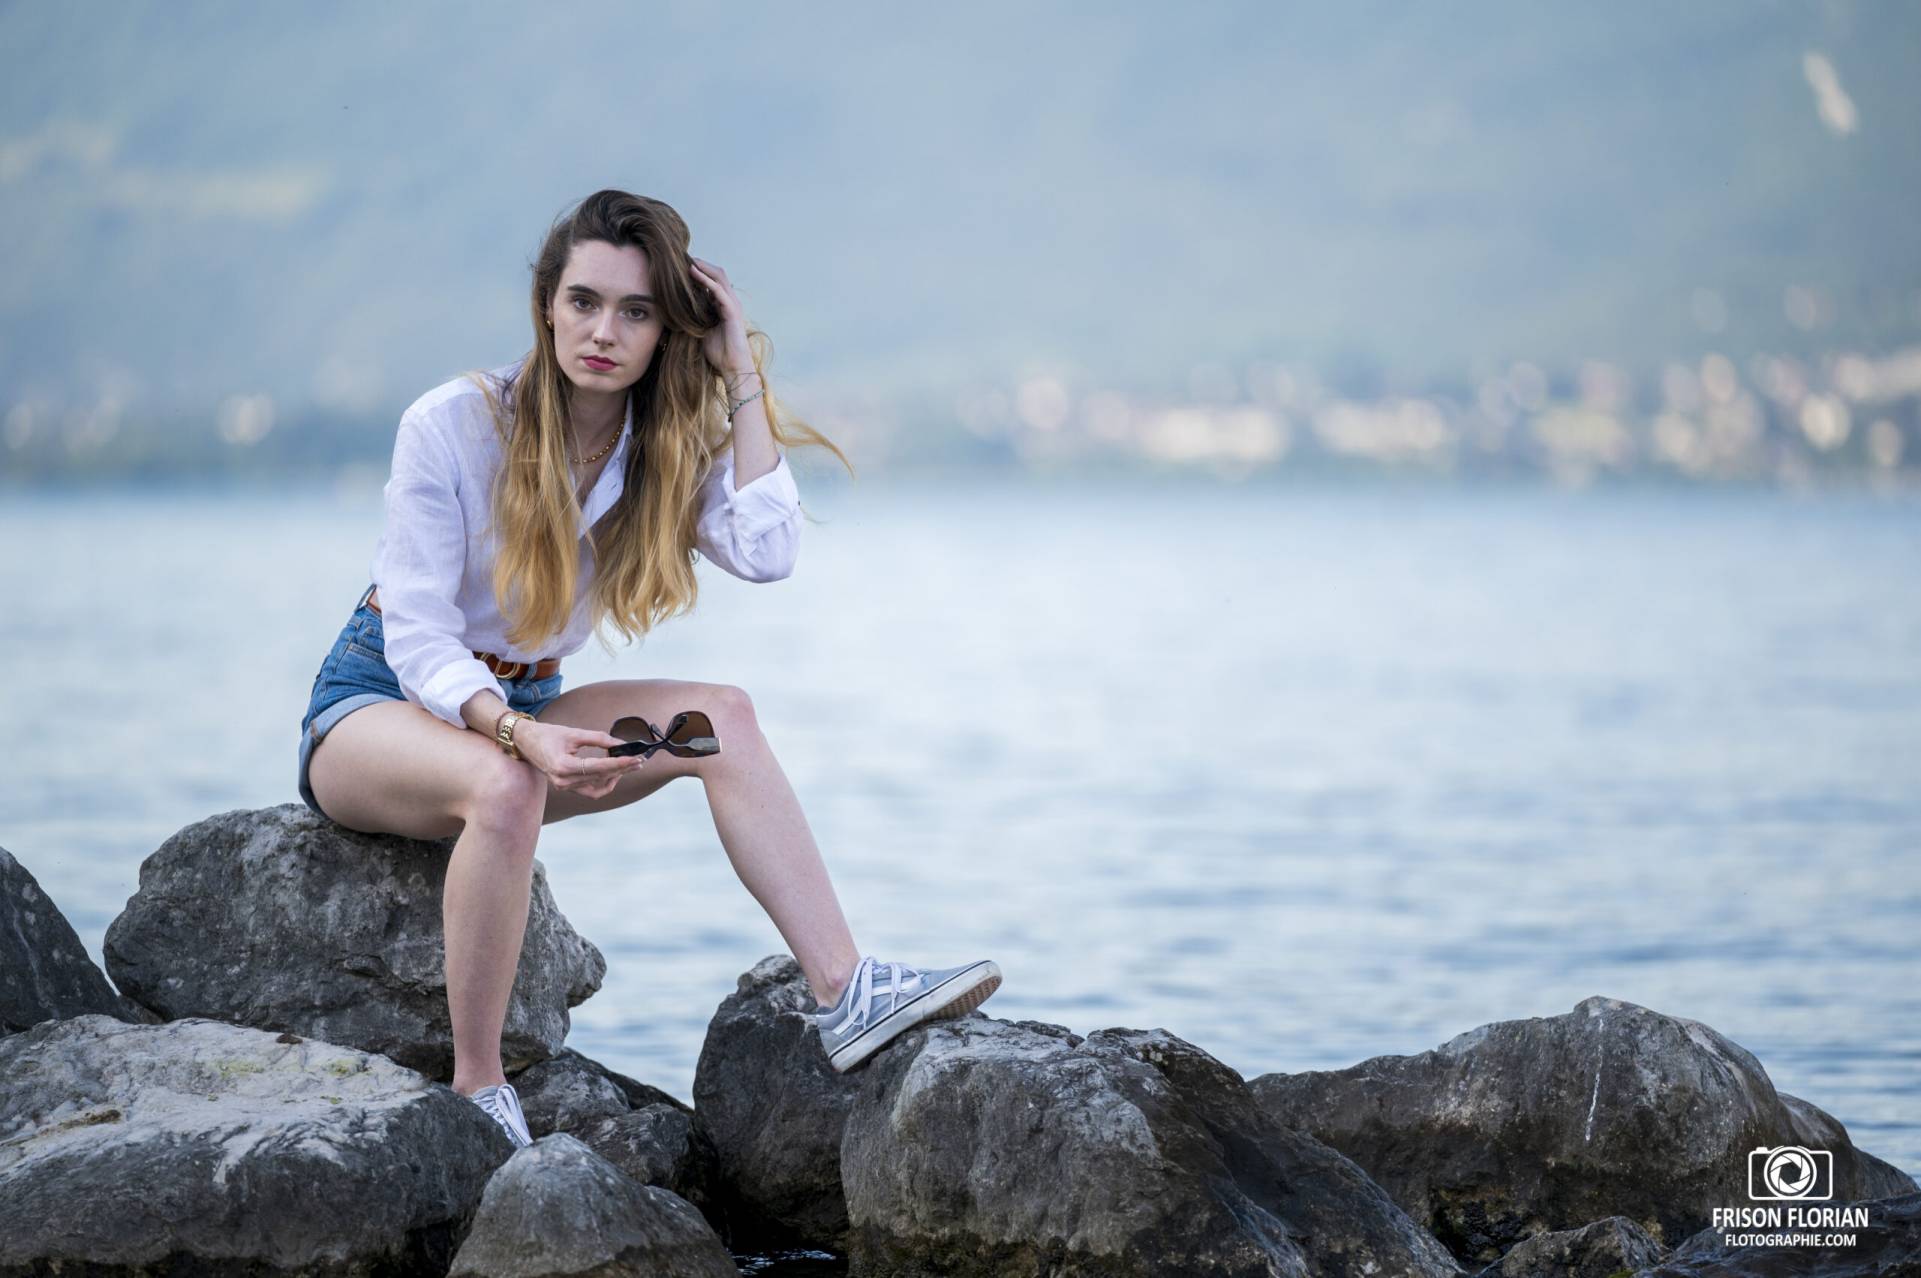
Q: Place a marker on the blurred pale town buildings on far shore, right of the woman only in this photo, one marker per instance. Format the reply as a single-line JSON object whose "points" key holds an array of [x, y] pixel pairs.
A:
{"points": [[1768, 420]]}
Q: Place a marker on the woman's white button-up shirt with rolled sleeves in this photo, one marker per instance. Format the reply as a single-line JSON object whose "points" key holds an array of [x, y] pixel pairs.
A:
{"points": [[435, 560]]}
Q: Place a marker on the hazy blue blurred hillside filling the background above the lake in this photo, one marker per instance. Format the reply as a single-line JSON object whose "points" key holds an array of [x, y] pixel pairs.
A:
{"points": [[1240, 235]]}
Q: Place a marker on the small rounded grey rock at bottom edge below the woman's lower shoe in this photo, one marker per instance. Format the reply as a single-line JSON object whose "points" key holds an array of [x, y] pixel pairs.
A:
{"points": [[558, 1208]]}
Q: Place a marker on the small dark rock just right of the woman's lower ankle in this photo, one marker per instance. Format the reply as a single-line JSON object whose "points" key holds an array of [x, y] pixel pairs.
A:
{"points": [[643, 1131]]}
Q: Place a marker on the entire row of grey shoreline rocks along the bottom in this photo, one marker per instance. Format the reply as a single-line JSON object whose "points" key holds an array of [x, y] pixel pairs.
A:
{"points": [[262, 1091]]}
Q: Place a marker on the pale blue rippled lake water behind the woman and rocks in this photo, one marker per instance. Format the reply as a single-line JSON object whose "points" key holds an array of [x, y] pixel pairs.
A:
{"points": [[1300, 775]]}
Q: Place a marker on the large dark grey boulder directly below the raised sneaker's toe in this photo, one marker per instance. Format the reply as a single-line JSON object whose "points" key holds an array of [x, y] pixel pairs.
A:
{"points": [[983, 1148]]}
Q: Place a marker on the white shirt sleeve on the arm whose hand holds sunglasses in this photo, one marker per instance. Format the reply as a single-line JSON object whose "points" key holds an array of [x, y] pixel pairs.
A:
{"points": [[418, 570]]}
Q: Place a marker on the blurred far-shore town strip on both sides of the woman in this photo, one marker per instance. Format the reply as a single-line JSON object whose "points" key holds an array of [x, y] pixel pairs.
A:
{"points": [[1768, 420]]}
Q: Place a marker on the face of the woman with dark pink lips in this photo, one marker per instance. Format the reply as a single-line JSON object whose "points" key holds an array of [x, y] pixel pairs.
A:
{"points": [[606, 324]]}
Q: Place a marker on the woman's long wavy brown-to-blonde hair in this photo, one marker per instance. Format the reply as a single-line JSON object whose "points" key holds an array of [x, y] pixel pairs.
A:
{"points": [[643, 547]]}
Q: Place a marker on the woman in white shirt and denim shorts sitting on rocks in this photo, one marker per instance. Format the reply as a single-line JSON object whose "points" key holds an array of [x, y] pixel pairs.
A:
{"points": [[527, 506]]}
